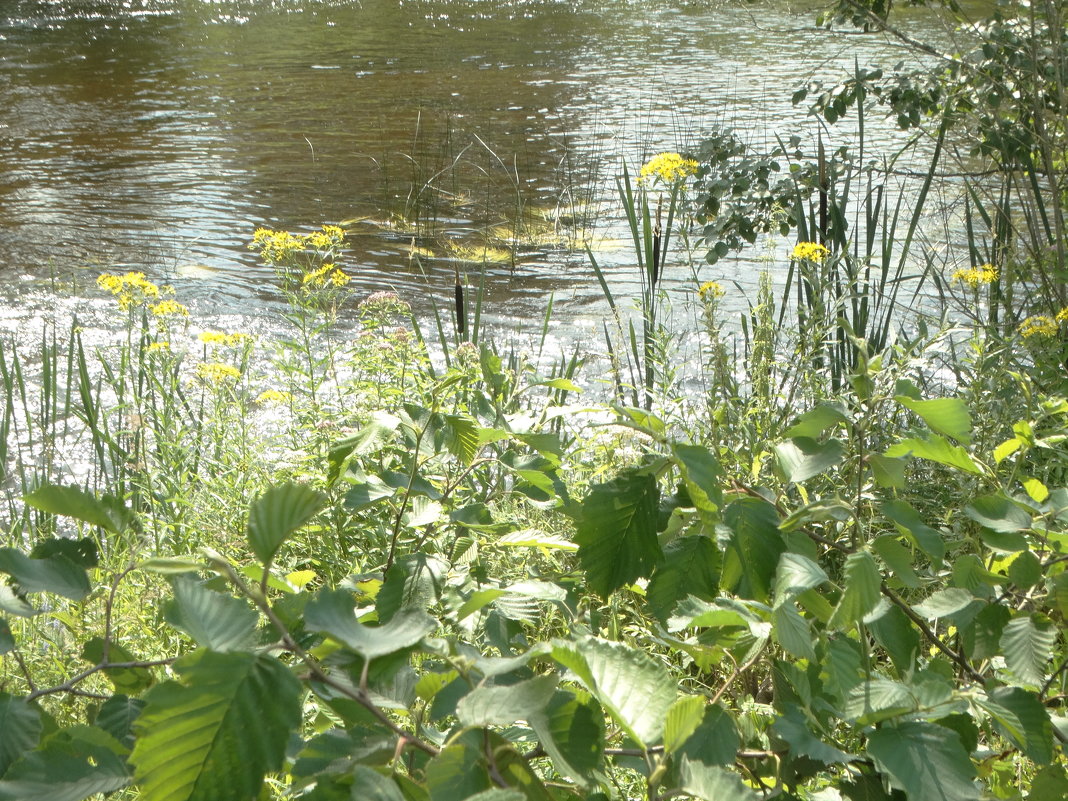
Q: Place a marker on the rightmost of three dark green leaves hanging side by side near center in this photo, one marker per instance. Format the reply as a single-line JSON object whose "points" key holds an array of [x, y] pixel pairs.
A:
{"points": [[756, 547]]}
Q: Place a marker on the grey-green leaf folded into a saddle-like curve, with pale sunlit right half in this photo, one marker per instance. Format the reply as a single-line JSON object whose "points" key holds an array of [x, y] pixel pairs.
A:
{"points": [[333, 612]]}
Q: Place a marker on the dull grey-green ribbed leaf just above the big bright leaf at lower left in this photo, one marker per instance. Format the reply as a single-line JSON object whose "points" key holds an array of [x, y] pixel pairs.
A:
{"points": [[215, 621]]}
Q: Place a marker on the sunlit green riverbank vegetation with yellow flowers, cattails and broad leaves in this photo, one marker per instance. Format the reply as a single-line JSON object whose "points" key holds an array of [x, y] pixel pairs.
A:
{"points": [[824, 559]]}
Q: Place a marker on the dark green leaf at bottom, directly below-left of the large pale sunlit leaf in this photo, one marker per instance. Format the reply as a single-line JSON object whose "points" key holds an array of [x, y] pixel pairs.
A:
{"points": [[572, 731]]}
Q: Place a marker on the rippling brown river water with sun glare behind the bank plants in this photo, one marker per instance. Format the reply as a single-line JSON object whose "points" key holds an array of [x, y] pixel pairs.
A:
{"points": [[159, 135]]}
